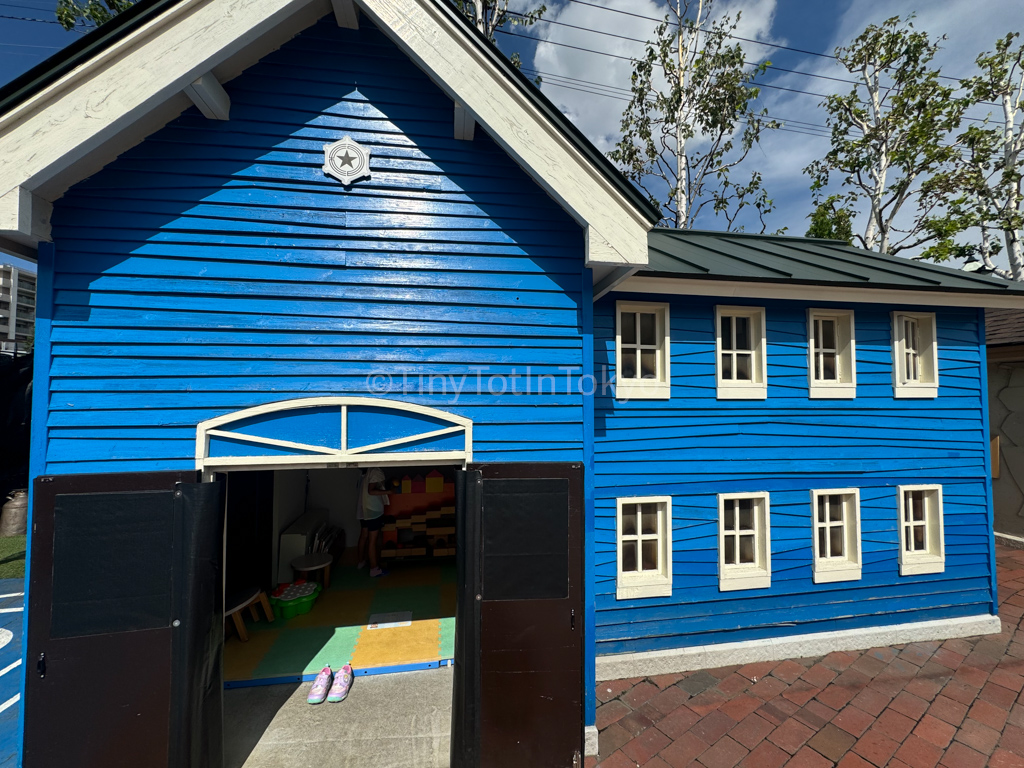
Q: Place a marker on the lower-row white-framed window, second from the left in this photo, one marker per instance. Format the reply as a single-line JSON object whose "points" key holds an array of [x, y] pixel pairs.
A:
{"points": [[744, 542]]}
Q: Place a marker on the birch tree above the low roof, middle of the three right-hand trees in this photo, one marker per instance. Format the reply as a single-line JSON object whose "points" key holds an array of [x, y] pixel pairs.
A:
{"points": [[891, 139]]}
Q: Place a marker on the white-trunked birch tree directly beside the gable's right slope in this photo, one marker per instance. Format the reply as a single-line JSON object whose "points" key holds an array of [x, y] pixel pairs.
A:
{"points": [[691, 120]]}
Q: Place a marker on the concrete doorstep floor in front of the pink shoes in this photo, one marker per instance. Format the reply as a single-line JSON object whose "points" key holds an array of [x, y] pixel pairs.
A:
{"points": [[389, 721]]}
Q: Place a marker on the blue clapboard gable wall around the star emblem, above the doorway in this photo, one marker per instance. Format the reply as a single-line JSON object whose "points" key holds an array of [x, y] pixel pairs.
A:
{"points": [[215, 268]]}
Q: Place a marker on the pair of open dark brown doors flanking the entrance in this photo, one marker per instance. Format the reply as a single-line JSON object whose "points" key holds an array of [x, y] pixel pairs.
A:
{"points": [[126, 631]]}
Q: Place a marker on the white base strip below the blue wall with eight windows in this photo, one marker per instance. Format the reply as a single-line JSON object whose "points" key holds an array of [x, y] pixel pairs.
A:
{"points": [[646, 664]]}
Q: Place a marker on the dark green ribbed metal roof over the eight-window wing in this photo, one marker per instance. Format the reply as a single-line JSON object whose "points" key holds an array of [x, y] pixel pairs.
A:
{"points": [[767, 259]]}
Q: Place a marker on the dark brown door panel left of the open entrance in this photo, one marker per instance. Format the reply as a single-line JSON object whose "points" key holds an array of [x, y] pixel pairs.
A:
{"points": [[125, 623]]}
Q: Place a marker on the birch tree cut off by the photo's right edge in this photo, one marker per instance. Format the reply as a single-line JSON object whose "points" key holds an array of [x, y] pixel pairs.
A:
{"points": [[985, 191]]}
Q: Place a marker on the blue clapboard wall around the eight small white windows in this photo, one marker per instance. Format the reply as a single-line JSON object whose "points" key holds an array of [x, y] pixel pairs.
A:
{"points": [[694, 447]]}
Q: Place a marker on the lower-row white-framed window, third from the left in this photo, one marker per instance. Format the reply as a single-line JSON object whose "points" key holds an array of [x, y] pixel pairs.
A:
{"points": [[837, 535]]}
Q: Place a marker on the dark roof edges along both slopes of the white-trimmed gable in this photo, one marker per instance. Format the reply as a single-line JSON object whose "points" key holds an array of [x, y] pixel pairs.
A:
{"points": [[79, 53]]}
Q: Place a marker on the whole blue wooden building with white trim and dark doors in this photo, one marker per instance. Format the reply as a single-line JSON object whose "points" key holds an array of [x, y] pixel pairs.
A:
{"points": [[674, 450]]}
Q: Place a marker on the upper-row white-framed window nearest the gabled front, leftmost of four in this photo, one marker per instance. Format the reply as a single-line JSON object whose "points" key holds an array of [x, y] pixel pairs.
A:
{"points": [[644, 352]]}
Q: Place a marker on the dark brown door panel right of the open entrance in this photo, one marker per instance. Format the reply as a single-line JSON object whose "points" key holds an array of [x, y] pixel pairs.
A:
{"points": [[523, 580]]}
